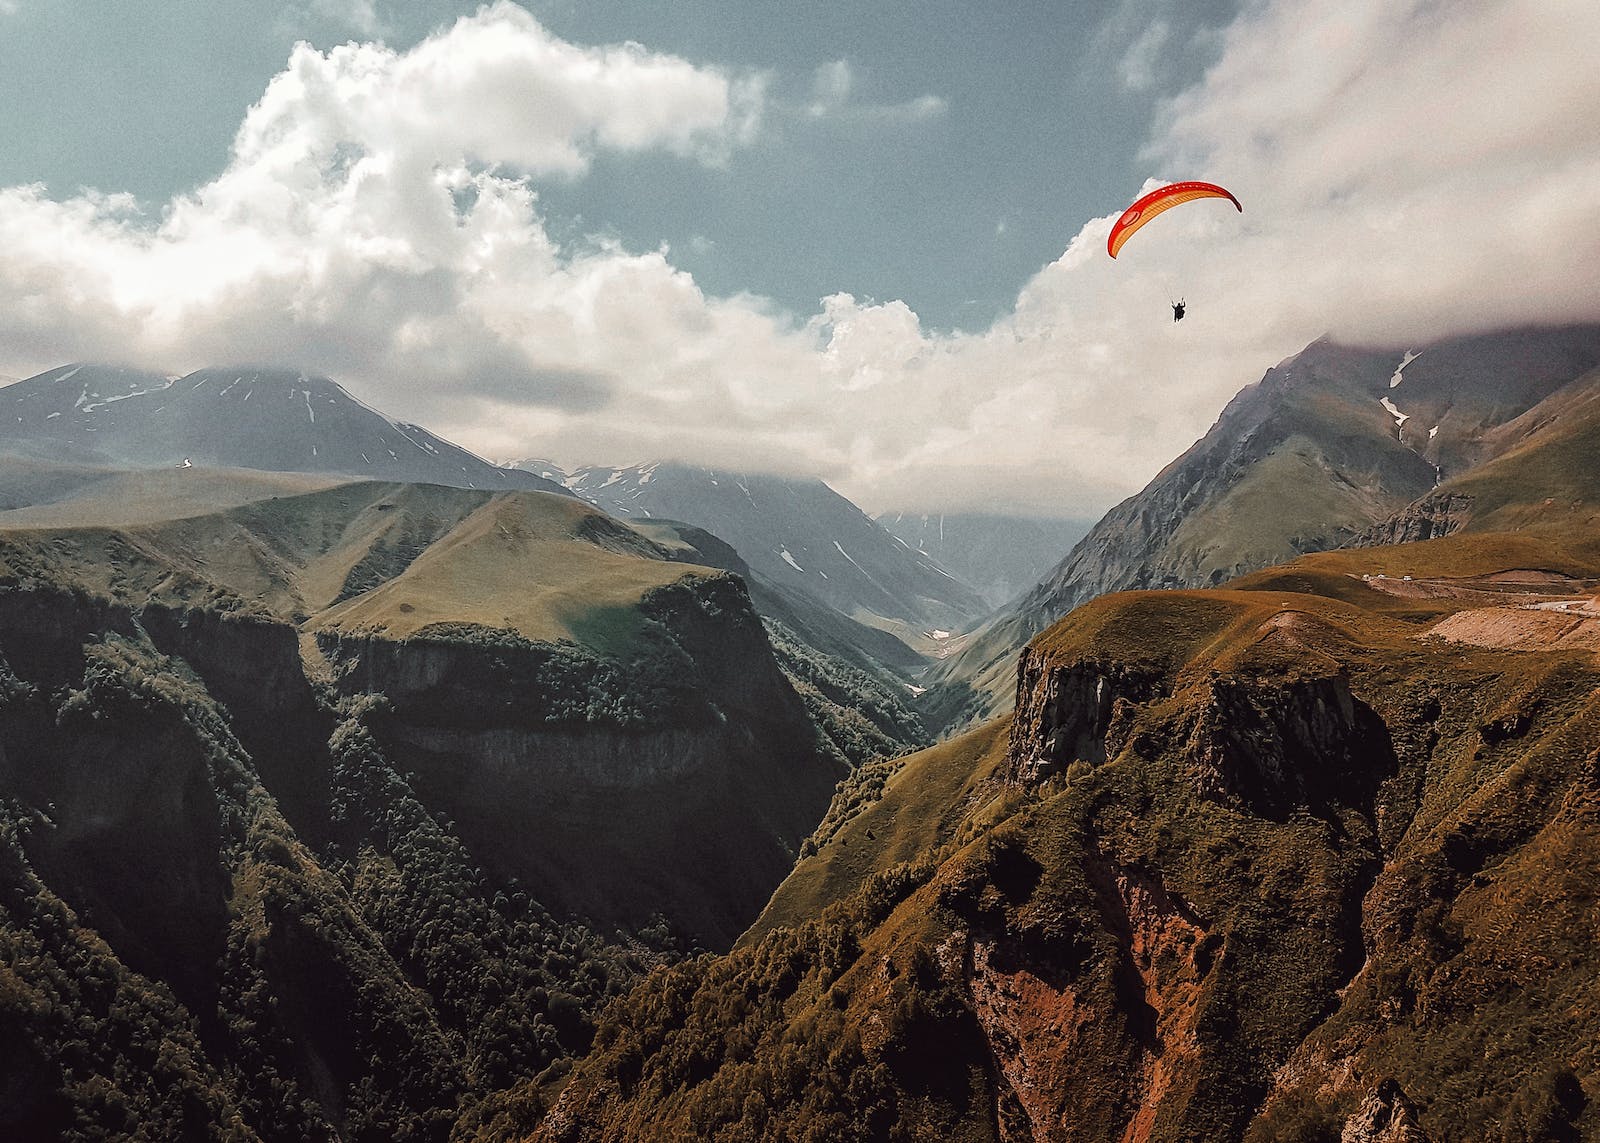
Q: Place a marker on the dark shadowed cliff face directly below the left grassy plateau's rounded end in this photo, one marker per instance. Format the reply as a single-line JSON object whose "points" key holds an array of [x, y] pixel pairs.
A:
{"points": [[602, 780]]}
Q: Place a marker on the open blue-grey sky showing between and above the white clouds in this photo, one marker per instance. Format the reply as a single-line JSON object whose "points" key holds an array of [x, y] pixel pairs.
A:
{"points": [[930, 153]]}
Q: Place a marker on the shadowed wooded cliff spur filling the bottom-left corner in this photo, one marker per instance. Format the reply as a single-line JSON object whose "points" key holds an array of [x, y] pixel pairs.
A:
{"points": [[178, 958]]}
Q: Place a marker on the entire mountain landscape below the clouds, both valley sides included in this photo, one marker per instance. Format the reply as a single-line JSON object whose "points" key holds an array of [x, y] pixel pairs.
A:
{"points": [[386, 809]]}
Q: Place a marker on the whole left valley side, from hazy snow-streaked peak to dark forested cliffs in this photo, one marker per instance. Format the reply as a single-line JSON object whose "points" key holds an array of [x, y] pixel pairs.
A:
{"points": [[361, 798]]}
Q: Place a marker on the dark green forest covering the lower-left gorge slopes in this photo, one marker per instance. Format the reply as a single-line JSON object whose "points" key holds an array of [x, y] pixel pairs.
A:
{"points": [[201, 971]]}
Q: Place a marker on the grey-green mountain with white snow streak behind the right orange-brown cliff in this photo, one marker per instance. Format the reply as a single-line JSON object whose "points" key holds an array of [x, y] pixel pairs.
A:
{"points": [[1326, 447]]}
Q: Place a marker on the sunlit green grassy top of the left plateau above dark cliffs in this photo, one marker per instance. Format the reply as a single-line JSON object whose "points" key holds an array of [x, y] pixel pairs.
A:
{"points": [[383, 558]]}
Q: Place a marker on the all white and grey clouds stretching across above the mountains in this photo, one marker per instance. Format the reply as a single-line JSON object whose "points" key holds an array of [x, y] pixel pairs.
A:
{"points": [[1409, 170]]}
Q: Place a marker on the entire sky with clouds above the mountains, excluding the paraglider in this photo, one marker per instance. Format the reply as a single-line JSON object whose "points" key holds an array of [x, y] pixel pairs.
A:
{"points": [[857, 241]]}
